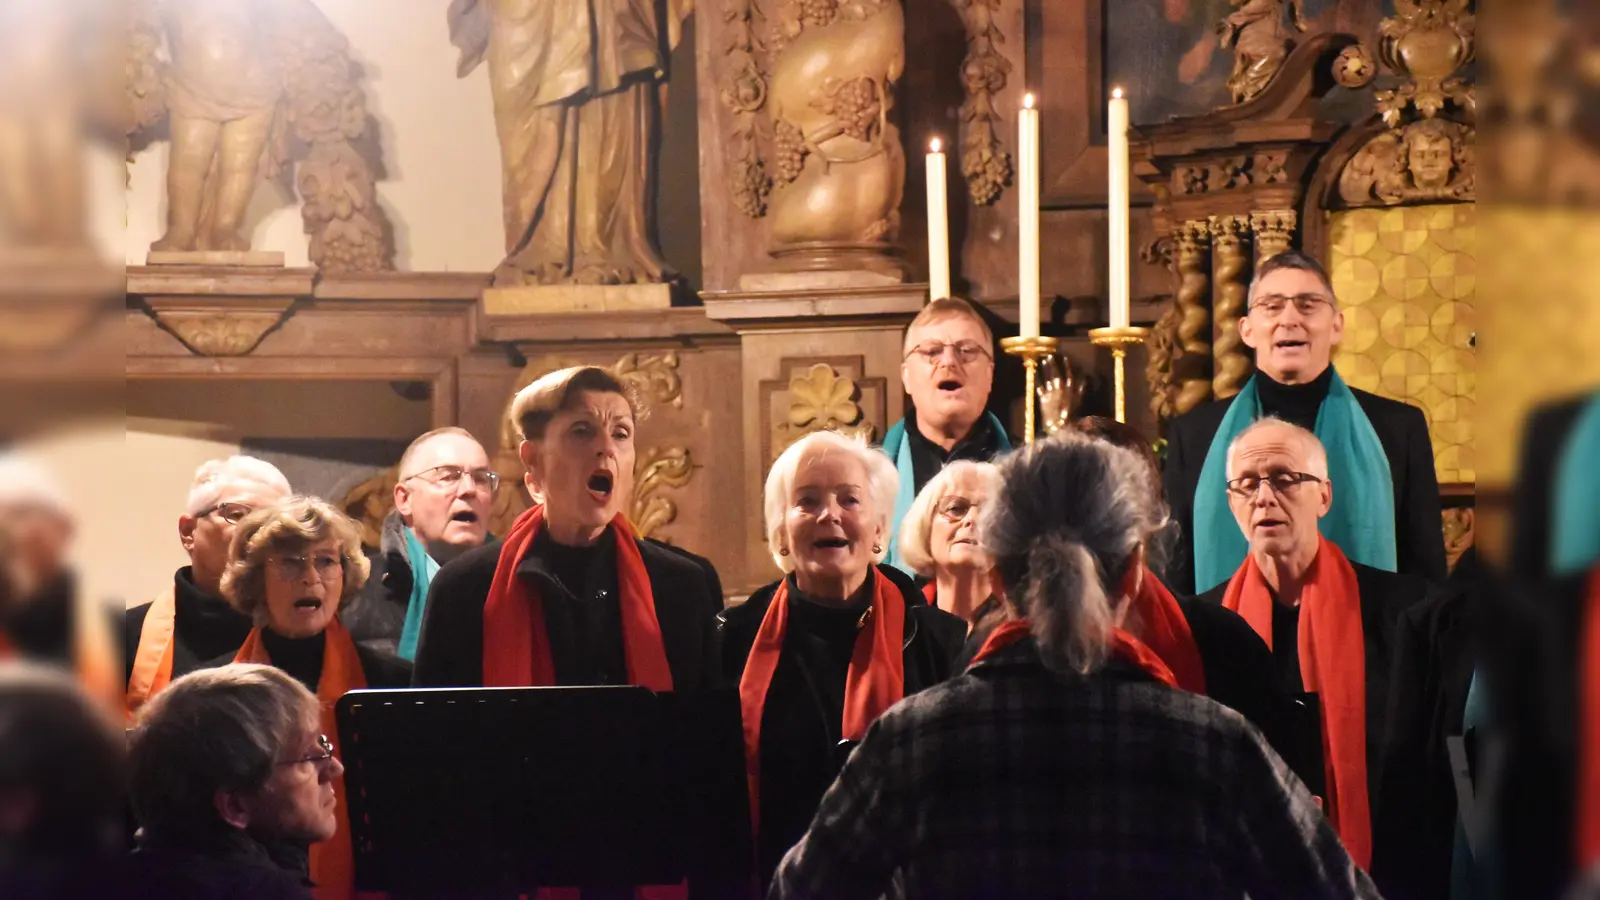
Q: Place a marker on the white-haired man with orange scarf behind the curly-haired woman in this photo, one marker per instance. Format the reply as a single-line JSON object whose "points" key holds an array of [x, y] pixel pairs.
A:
{"points": [[190, 624]]}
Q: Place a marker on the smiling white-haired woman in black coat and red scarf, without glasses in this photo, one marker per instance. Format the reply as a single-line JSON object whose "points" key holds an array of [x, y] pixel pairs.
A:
{"points": [[839, 640]]}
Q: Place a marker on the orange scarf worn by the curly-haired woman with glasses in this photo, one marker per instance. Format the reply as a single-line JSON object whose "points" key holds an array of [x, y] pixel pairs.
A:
{"points": [[332, 861]]}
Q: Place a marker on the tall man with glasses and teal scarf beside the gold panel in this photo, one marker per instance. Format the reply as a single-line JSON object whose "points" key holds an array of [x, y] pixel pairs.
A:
{"points": [[1388, 513]]}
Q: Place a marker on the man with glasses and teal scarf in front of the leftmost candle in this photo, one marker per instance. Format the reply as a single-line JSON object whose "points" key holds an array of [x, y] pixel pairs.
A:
{"points": [[948, 372]]}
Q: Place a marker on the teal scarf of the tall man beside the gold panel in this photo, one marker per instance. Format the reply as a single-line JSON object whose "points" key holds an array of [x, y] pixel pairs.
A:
{"points": [[1362, 521]]}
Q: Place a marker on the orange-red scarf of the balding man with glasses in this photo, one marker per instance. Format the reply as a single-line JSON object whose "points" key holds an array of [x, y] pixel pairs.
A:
{"points": [[1334, 665]]}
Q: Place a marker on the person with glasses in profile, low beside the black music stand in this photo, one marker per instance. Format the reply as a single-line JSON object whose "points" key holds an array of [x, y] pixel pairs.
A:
{"points": [[233, 781]]}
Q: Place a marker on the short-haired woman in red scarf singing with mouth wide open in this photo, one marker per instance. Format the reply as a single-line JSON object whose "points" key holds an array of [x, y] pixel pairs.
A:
{"points": [[574, 597]]}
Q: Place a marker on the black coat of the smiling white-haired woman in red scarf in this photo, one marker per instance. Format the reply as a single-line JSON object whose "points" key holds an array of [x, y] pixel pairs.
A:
{"points": [[790, 798]]}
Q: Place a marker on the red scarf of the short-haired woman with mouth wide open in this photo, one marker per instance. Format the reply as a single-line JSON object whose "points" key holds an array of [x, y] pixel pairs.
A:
{"points": [[518, 646]]}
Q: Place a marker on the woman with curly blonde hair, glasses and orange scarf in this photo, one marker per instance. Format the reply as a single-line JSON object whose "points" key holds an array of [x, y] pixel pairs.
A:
{"points": [[290, 566]]}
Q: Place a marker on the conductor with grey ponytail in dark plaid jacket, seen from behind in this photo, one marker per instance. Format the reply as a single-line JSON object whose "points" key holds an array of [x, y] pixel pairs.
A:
{"points": [[1065, 760]]}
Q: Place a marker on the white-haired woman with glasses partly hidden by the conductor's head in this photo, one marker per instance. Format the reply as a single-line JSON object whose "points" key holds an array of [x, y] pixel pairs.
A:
{"points": [[940, 539]]}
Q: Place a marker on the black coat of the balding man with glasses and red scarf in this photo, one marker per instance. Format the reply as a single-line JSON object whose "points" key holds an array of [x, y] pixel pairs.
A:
{"points": [[1385, 603]]}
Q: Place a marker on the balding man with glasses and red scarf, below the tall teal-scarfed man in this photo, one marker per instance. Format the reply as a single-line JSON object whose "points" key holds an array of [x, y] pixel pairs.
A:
{"points": [[1329, 622]]}
